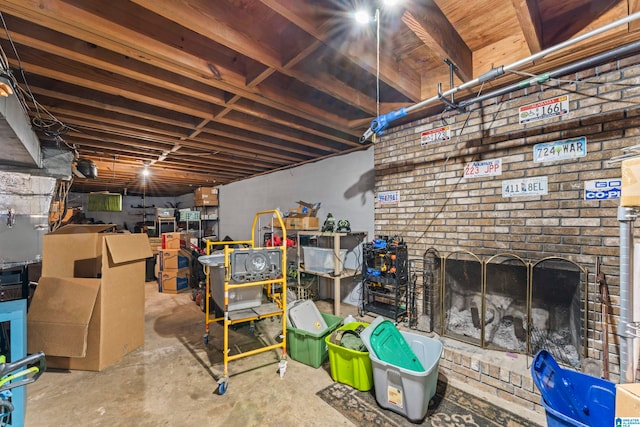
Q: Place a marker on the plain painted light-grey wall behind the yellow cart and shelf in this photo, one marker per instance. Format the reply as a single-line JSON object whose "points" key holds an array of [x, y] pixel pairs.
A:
{"points": [[343, 185]]}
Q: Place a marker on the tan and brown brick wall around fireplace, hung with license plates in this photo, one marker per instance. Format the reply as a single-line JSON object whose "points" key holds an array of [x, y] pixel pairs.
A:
{"points": [[440, 208]]}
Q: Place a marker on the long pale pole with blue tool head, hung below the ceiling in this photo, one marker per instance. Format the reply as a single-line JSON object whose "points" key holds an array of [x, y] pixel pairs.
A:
{"points": [[380, 123]]}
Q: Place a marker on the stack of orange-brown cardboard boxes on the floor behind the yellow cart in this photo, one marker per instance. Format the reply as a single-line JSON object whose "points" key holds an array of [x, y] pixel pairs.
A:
{"points": [[175, 263]]}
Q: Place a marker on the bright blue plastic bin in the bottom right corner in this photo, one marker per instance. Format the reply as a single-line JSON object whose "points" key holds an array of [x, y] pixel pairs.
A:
{"points": [[572, 398]]}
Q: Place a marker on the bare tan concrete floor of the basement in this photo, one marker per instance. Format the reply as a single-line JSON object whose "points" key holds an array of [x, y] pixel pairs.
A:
{"points": [[170, 380]]}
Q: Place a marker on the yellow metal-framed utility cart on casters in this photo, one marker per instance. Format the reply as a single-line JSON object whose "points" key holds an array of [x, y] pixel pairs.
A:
{"points": [[237, 280]]}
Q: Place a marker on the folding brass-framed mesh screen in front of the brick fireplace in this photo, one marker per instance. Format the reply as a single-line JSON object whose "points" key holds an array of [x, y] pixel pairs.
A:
{"points": [[508, 304]]}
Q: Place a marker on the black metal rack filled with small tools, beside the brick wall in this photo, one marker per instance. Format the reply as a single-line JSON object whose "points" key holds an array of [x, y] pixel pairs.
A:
{"points": [[385, 273]]}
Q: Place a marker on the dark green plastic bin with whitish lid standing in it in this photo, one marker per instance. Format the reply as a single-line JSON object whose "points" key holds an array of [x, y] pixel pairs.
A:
{"points": [[308, 347]]}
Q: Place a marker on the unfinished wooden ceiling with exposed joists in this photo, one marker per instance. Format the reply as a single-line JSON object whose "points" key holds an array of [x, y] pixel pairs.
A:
{"points": [[210, 92]]}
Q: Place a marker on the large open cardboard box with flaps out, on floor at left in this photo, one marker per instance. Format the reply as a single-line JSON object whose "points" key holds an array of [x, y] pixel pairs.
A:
{"points": [[88, 309]]}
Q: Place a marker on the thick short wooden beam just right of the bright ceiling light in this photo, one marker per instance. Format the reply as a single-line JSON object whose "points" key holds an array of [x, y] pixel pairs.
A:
{"points": [[429, 24]]}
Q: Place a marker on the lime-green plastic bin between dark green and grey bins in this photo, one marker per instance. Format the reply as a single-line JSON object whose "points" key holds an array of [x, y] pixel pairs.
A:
{"points": [[348, 366]]}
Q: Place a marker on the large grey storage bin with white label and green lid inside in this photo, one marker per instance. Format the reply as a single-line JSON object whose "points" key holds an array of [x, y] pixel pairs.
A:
{"points": [[402, 390]]}
